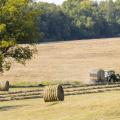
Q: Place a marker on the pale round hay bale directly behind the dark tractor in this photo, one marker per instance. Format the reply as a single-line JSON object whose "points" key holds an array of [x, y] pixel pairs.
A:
{"points": [[97, 75]]}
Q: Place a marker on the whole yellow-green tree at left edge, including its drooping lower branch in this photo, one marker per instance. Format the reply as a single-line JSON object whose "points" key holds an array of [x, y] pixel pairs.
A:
{"points": [[17, 25]]}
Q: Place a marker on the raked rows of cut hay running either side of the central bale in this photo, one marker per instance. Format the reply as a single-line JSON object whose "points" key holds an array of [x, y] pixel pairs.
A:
{"points": [[68, 90]]}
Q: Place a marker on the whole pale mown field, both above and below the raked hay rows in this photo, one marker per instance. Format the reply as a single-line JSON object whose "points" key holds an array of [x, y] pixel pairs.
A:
{"points": [[66, 61]]}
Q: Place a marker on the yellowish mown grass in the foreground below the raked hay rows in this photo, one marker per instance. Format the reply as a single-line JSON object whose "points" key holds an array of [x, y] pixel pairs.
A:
{"points": [[100, 106]]}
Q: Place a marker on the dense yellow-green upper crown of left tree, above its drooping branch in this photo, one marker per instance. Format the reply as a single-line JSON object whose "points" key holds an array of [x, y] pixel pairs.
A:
{"points": [[19, 18]]}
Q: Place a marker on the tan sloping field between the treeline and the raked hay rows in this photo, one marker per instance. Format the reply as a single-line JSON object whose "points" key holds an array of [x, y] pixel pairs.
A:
{"points": [[68, 61]]}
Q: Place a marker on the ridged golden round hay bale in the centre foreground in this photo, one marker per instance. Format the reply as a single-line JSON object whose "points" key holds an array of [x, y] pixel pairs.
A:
{"points": [[53, 93]]}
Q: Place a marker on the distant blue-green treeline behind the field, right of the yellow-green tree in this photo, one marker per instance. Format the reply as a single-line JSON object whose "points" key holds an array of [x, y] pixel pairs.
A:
{"points": [[78, 19]]}
